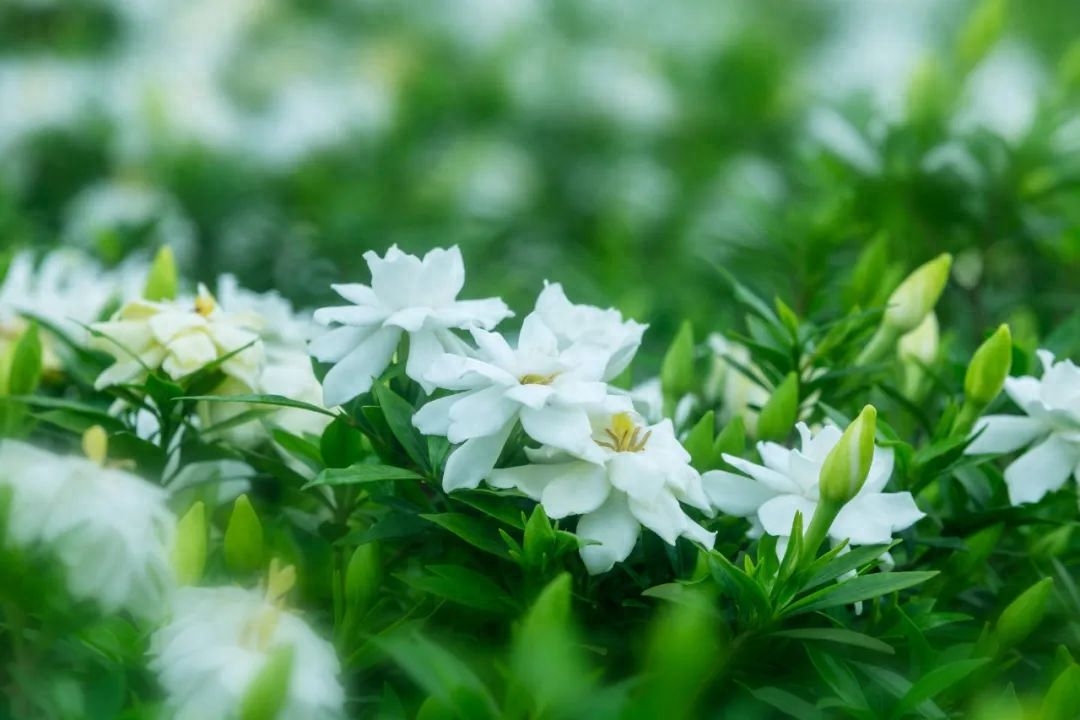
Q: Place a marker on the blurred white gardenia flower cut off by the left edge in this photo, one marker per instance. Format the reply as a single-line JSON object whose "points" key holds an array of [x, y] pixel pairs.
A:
{"points": [[110, 531]]}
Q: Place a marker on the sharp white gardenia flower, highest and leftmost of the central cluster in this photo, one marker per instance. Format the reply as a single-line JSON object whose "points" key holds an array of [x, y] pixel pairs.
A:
{"points": [[407, 296]]}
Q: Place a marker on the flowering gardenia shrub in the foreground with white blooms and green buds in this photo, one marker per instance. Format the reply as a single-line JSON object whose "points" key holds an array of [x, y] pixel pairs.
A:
{"points": [[426, 506]]}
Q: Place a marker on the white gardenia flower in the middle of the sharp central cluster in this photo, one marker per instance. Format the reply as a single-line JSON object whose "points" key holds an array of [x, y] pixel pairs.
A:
{"points": [[549, 390]]}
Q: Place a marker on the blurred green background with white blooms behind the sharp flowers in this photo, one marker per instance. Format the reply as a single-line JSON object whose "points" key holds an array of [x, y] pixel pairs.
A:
{"points": [[625, 148]]}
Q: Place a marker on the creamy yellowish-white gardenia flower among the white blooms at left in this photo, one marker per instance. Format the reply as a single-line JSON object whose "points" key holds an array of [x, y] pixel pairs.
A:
{"points": [[181, 338]]}
